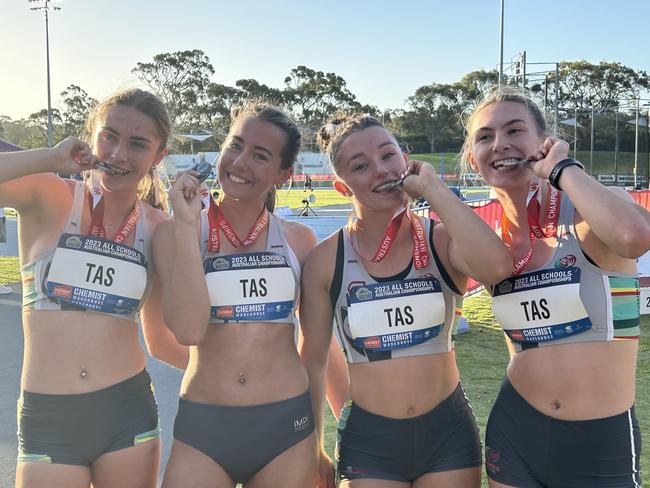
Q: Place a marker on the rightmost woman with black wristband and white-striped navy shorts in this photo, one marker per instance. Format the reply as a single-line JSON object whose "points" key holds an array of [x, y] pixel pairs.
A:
{"points": [[565, 412]]}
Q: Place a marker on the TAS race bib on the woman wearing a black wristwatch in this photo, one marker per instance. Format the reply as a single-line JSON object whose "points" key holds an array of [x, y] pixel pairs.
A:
{"points": [[541, 306]]}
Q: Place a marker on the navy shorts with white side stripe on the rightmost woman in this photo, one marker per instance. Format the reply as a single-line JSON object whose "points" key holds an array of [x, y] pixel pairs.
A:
{"points": [[527, 449]]}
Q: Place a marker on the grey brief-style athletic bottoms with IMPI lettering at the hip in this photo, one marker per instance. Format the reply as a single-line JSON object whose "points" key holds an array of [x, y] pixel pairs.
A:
{"points": [[244, 439]]}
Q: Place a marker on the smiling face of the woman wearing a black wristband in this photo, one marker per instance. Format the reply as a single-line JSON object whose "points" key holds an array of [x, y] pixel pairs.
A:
{"points": [[503, 132]]}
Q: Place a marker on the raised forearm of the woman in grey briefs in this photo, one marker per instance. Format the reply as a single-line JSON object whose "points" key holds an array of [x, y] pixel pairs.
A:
{"points": [[186, 302]]}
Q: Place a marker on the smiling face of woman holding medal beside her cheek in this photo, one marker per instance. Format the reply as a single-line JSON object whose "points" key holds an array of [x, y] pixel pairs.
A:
{"points": [[251, 159]]}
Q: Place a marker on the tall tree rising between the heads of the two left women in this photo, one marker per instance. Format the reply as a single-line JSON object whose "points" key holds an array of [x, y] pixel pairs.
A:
{"points": [[180, 79]]}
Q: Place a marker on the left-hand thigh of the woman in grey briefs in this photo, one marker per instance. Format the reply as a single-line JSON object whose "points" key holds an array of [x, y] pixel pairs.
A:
{"points": [[188, 466]]}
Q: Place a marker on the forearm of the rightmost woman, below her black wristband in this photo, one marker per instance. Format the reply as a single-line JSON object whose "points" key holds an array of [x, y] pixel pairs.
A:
{"points": [[619, 223]]}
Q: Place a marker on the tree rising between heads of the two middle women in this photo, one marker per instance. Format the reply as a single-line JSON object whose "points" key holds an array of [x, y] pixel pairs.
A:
{"points": [[314, 95]]}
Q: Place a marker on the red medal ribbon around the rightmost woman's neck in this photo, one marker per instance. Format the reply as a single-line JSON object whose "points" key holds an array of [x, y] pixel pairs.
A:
{"points": [[533, 210]]}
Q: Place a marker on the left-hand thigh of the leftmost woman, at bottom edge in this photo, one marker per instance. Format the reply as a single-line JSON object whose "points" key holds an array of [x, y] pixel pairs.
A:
{"points": [[37, 474]]}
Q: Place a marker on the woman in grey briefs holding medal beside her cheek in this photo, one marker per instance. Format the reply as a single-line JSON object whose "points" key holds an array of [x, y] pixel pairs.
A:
{"points": [[244, 413]]}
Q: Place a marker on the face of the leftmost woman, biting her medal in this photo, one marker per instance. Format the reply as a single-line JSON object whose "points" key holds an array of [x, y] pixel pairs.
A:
{"points": [[127, 140]]}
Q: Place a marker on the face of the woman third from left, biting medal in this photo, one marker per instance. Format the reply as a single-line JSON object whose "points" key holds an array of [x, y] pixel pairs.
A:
{"points": [[367, 162]]}
